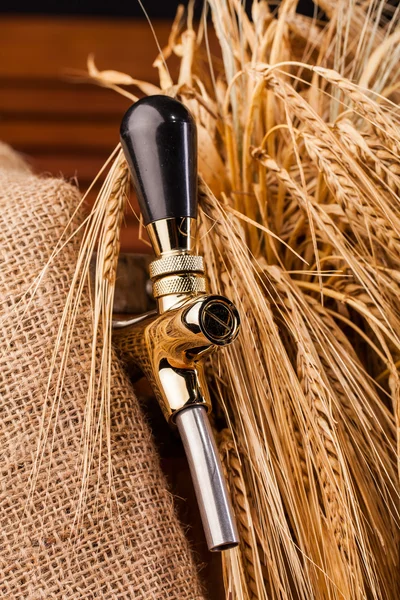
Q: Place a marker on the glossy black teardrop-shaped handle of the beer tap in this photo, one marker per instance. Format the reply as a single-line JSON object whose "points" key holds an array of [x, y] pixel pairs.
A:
{"points": [[158, 136]]}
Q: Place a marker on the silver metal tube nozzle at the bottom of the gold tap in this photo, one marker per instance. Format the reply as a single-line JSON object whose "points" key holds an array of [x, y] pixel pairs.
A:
{"points": [[209, 484]]}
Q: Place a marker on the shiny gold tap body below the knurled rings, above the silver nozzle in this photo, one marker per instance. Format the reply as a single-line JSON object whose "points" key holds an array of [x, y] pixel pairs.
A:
{"points": [[169, 347]]}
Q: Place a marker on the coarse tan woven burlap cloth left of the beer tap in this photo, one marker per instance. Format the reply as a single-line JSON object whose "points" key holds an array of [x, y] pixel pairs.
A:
{"points": [[129, 543]]}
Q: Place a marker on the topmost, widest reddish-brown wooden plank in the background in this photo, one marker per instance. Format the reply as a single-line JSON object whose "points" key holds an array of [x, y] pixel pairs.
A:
{"points": [[49, 48]]}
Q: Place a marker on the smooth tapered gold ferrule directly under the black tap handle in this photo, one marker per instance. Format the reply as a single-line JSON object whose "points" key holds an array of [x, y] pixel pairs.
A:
{"points": [[173, 236]]}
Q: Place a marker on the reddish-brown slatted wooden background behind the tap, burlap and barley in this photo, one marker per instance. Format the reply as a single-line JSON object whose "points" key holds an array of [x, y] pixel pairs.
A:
{"points": [[70, 129]]}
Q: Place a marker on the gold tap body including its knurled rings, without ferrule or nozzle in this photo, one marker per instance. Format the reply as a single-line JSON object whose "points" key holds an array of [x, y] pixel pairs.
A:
{"points": [[169, 345]]}
